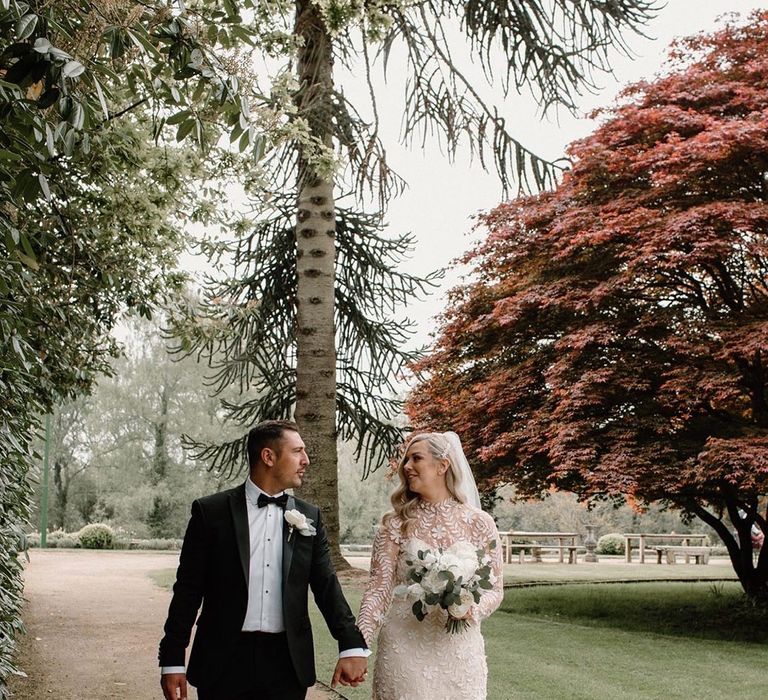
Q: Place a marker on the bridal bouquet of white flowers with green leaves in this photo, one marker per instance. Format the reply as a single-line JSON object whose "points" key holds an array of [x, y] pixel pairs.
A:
{"points": [[452, 579]]}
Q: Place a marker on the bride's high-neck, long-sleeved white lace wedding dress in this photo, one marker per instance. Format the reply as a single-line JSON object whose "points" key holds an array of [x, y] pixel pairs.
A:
{"points": [[420, 660]]}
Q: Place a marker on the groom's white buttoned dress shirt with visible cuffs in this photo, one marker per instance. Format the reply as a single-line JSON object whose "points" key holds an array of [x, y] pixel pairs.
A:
{"points": [[265, 578]]}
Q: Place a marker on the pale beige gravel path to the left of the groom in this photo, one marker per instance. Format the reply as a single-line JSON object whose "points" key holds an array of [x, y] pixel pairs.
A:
{"points": [[94, 620]]}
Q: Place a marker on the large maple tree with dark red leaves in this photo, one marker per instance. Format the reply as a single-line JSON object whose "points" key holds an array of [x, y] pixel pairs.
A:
{"points": [[613, 340]]}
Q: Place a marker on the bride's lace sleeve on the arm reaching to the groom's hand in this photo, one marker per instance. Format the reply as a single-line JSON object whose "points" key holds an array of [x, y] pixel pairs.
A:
{"points": [[378, 592]]}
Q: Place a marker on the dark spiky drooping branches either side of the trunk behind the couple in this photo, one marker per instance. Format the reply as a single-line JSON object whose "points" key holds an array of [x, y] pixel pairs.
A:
{"points": [[245, 328]]}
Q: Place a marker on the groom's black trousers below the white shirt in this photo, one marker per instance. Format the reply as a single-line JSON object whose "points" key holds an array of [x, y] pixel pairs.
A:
{"points": [[259, 669]]}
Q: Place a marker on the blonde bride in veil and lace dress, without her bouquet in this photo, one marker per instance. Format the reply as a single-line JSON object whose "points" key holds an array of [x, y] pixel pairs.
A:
{"points": [[436, 504]]}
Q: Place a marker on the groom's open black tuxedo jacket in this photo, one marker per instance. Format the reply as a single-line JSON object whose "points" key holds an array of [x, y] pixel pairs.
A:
{"points": [[213, 570]]}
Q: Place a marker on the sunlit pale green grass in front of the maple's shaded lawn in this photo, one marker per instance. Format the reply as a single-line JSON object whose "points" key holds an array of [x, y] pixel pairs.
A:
{"points": [[541, 659]]}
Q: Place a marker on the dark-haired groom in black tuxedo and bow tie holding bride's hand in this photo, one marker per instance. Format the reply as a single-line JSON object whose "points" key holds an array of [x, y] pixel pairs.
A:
{"points": [[249, 556]]}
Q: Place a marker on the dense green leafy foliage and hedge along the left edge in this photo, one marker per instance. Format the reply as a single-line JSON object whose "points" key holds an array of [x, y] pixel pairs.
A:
{"points": [[87, 119]]}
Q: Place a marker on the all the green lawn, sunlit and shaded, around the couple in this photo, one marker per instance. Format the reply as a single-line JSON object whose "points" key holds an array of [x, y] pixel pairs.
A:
{"points": [[613, 641]]}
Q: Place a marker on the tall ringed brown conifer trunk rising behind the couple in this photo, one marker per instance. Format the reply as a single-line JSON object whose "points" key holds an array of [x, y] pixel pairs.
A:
{"points": [[315, 240]]}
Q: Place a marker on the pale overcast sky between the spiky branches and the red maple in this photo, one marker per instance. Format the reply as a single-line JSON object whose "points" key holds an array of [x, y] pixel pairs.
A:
{"points": [[442, 197]]}
